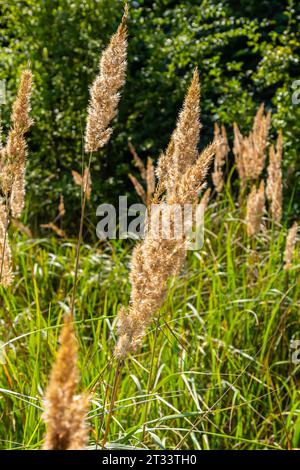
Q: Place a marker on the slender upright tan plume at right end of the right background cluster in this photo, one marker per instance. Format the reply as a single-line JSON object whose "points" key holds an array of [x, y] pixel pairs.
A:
{"points": [[274, 182]]}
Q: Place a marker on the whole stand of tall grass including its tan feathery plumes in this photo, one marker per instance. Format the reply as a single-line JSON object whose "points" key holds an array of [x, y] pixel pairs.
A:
{"points": [[215, 370]]}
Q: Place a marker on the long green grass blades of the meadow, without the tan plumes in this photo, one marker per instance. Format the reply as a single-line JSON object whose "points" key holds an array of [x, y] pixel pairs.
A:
{"points": [[215, 369]]}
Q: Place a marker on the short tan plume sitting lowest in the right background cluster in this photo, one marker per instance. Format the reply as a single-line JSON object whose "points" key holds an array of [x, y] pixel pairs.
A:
{"points": [[255, 209]]}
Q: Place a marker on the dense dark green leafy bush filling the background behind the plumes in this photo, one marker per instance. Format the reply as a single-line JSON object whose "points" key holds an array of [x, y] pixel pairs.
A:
{"points": [[247, 52]]}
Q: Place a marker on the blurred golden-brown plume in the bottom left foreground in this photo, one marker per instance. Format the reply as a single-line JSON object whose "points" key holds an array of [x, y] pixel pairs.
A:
{"points": [[64, 410]]}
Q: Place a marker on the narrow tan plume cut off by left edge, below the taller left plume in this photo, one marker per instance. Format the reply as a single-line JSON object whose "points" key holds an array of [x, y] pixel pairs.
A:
{"points": [[6, 274]]}
